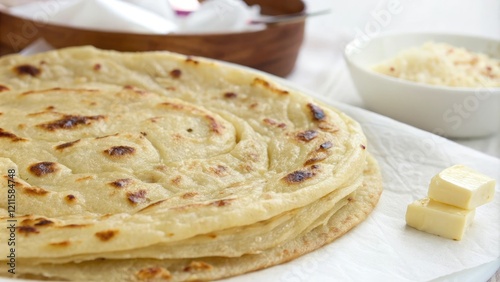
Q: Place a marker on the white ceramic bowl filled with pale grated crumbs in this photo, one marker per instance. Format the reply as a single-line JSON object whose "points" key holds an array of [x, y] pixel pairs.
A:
{"points": [[457, 112]]}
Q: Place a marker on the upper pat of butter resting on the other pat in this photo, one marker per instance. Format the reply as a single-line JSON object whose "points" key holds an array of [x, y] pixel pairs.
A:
{"points": [[462, 187]]}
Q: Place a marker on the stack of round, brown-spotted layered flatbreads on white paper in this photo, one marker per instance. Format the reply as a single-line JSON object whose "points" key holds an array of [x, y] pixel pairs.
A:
{"points": [[157, 166]]}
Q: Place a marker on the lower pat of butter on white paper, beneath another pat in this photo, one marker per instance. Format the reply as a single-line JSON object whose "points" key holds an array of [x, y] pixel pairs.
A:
{"points": [[438, 218]]}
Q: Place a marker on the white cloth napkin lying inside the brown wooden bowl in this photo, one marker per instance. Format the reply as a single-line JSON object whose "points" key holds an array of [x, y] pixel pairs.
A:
{"points": [[141, 16]]}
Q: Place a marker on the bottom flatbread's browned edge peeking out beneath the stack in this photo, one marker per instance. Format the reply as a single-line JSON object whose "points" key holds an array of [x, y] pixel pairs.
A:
{"points": [[211, 268]]}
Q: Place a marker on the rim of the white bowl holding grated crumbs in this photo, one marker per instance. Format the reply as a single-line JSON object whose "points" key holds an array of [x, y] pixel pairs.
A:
{"points": [[347, 54]]}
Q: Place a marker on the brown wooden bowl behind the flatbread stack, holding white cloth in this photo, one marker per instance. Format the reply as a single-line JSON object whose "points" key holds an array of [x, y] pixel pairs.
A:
{"points": [[273, 49]]}
